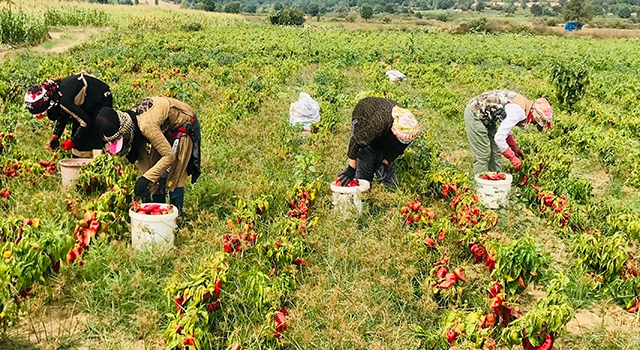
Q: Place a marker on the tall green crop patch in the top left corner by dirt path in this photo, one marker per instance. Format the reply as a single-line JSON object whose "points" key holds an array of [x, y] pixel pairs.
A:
{"points": [[20, 28]]}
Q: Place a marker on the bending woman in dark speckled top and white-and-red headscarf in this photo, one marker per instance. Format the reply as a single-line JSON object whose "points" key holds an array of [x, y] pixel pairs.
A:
{"points": [[380, 132]]}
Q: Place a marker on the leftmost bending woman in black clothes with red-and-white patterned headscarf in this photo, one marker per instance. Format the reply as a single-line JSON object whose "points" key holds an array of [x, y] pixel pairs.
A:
{"points": [[76, 98]]}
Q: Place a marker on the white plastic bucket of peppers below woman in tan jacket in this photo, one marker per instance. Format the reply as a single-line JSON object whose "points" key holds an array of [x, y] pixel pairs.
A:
{"points": [[153, 229]]}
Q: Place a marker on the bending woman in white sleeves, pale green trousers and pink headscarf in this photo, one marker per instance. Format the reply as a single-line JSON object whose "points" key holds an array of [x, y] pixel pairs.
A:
{"points": [[490, 141]]}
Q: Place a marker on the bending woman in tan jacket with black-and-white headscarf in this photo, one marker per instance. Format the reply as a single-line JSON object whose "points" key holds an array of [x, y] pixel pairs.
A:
{"points": [[173, 131]]}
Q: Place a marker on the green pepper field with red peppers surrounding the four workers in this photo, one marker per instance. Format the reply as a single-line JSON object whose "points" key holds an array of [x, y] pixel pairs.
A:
{"points": [[262, 261]]}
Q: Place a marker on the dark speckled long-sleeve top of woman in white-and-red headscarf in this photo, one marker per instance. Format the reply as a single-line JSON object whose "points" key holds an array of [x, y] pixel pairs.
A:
{"points": [[371, 123]]}
